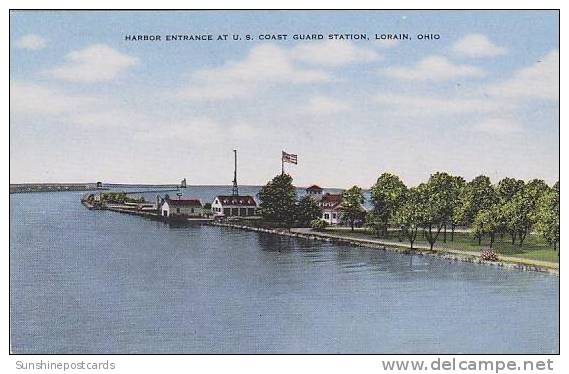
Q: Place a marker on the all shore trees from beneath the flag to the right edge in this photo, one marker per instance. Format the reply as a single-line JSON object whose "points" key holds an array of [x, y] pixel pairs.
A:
{"points": [[511, 207]]}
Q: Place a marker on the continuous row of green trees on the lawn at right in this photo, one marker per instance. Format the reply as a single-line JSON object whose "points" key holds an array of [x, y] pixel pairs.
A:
{"points": [[445, 201]]}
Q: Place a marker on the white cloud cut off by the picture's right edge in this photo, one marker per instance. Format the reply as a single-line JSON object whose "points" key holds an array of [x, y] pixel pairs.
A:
{"points": [[540, 81]]}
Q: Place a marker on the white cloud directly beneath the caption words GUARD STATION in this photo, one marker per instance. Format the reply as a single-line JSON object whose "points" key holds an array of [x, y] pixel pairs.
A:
{"points": [[333, 53]]}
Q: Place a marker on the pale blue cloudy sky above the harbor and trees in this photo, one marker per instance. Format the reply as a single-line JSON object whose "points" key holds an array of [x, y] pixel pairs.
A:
{"points": [[87, 105]]}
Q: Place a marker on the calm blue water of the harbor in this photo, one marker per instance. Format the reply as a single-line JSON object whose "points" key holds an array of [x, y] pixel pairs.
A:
{"points": [[102, 282]]}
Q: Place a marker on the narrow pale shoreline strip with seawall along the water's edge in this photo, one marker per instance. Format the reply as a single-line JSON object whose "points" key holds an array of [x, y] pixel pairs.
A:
{"points": [[504, 262]]}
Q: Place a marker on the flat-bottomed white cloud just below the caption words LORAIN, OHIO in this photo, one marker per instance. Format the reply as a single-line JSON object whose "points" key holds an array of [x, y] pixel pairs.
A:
{"points": [[434, 68]]}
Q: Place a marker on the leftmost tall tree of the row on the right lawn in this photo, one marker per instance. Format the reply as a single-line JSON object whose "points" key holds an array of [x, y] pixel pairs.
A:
{"points": [[387, 195]]}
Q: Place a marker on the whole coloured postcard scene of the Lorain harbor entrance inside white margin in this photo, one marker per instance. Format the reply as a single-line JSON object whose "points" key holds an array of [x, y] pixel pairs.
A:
{"points": [[284, 182]]}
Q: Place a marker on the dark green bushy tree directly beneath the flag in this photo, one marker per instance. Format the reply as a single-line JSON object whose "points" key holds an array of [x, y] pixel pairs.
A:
{"points": [[277, 201]]}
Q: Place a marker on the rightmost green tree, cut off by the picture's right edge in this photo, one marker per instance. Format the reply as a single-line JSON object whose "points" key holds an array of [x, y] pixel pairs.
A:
{"points": [[547, 222]]}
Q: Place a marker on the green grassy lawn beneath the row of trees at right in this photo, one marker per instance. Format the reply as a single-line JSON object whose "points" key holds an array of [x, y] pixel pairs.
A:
{"points": [[534, 247]]}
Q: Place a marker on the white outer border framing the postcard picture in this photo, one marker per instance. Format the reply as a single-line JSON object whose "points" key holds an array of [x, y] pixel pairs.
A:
{"points": [[255, 363]]}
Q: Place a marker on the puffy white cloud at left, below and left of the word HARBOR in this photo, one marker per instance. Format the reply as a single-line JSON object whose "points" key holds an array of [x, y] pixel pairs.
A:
{"points": [[95, 63]]}
